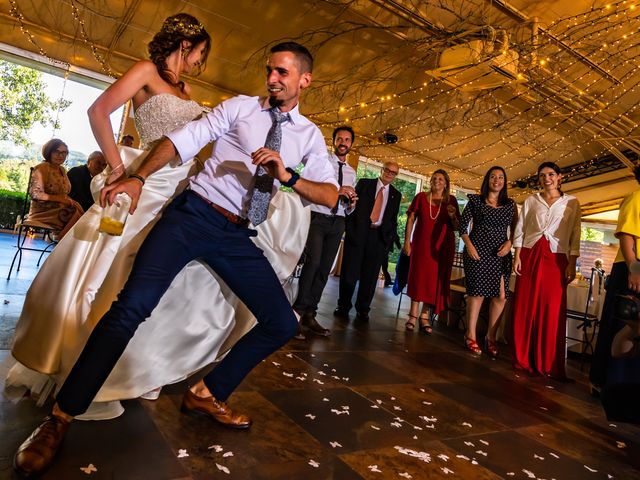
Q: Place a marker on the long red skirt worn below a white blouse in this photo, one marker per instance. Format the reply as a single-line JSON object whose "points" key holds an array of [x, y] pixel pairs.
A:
{"points": [[540, 311]]}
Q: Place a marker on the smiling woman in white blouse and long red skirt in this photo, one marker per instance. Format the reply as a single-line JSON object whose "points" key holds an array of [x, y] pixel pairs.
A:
{"points": [[547, 244]]}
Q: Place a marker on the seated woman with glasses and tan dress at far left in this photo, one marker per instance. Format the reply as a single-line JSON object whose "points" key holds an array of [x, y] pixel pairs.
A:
{"points": [[51, 204]]}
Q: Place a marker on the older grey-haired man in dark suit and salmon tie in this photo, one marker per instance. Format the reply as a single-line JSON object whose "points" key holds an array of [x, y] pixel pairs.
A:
{"points": [[370, 231]]}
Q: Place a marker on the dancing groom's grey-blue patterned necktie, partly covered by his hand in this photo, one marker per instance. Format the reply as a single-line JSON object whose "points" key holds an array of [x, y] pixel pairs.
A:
{"points": [[263, 187]]}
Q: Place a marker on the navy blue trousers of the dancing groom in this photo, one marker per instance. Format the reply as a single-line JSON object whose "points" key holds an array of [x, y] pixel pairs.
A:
{"points": [[189, 229]]}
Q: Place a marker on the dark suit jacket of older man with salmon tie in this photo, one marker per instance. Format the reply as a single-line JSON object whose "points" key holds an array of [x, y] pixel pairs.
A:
{"points": [[359, 222]]}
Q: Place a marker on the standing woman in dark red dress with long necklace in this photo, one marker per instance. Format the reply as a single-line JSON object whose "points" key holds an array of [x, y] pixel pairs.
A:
{"points": [[431, 246]]}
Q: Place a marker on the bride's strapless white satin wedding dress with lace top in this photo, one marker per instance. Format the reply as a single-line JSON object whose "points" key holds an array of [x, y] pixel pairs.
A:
{"points": [[82, 276]]}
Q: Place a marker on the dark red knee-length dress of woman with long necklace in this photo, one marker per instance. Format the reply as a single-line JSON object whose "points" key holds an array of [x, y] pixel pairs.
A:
{"points": [[432, 251]]}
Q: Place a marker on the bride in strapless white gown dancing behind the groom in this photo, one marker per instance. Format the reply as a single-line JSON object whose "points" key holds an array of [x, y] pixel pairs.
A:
{"points": [[83, 275]]}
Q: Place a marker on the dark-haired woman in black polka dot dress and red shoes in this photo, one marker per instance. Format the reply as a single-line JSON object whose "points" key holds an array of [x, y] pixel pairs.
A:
{"points": [[486, 228]]}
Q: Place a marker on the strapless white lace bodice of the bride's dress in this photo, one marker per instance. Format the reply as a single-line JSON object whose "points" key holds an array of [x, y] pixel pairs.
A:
{"points": [[161, 114]]}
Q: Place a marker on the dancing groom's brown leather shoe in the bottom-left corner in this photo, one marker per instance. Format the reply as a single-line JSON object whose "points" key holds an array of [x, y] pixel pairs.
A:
{"points": [[38, 451]]}
